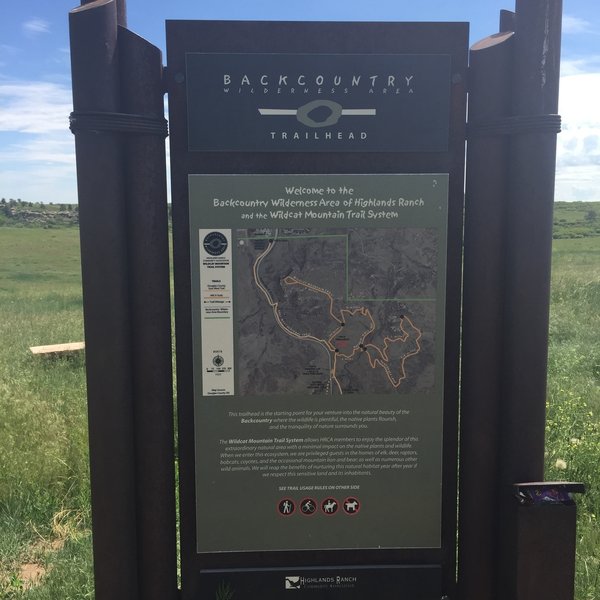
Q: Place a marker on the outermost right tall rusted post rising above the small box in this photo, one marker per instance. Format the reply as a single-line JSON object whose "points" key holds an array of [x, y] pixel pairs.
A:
{"points": [[529, 238]]}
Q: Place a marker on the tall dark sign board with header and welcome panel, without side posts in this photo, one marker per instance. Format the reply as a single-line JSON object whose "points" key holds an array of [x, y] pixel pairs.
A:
{"points": [[317, 200]]}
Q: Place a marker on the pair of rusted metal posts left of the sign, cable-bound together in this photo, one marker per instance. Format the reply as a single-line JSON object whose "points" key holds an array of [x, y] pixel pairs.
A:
{"points": [[124, 252]]}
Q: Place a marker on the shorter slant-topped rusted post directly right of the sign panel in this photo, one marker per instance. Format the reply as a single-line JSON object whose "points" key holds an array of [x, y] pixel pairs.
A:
{"points": [[481, 379]]}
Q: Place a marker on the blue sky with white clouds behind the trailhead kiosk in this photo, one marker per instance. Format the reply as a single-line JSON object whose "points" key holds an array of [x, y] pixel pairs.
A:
{"points": [[37, 157]]}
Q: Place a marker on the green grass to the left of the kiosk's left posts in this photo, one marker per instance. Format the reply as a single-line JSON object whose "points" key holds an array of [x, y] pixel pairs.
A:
{"points": [[44, 481]]}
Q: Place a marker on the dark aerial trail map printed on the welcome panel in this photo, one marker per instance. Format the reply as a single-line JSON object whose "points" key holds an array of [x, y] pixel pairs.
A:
{"points": [[336, 311]]}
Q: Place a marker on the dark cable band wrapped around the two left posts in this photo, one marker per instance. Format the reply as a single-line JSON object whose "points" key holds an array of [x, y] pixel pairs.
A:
{"points": [[119, 123]]}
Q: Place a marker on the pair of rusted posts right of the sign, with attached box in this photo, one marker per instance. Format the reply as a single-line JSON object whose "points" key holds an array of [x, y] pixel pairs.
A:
{"points": [[509, 549]]}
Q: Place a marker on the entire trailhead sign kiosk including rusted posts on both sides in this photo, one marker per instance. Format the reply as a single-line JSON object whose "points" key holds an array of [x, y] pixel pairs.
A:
{"points": [[331, 282]]}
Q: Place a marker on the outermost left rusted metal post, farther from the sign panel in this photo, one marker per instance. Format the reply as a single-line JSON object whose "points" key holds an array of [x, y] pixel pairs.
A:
{"points": [[101, 189]]}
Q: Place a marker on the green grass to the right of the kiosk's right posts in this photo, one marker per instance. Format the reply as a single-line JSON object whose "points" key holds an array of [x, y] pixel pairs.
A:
{"points": [[573, 407]]}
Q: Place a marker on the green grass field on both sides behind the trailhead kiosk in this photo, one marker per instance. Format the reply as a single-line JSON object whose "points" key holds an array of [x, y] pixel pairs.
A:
{"points": [[45, 539]]}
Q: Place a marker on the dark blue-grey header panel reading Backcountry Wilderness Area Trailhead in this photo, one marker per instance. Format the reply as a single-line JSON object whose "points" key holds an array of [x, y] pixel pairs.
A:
{"points": [[318, 102]]}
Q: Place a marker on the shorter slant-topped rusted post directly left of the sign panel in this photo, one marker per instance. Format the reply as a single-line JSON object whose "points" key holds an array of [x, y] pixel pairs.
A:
{"points": [[143, 96]]}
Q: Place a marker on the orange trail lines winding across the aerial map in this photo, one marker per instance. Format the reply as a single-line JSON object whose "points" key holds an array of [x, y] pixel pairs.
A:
{"points": [[382, 361]]}
